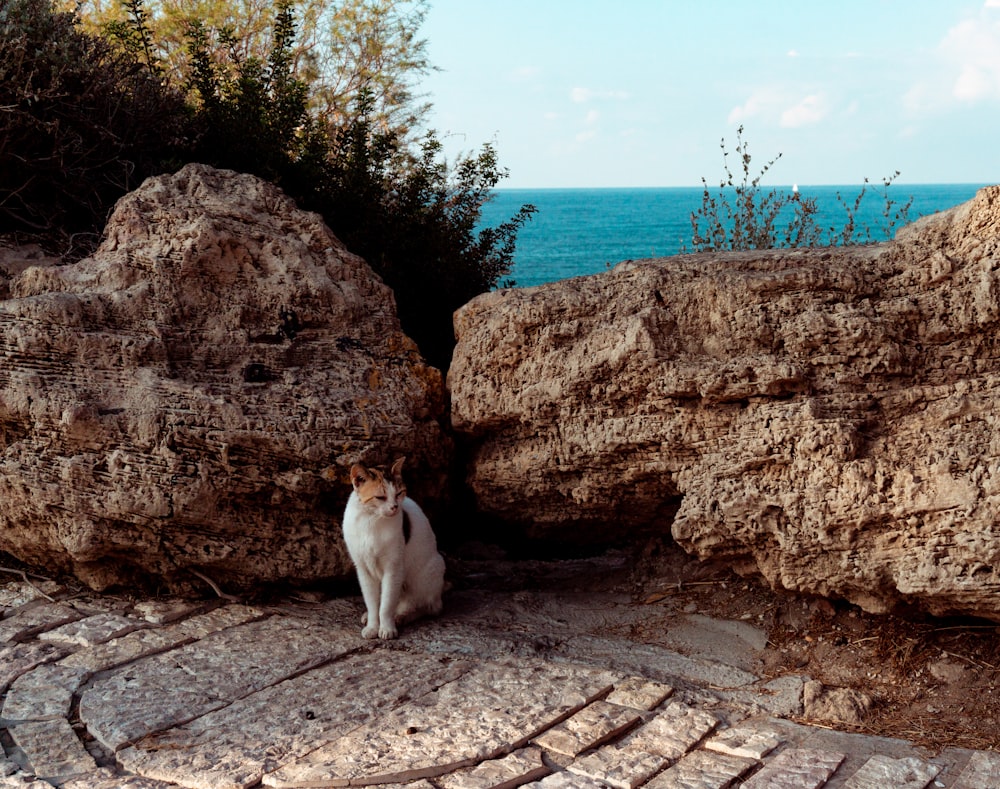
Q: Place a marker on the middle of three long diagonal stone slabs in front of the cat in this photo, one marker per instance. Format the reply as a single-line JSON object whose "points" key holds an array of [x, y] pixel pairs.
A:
{"points": [[234, 746]]}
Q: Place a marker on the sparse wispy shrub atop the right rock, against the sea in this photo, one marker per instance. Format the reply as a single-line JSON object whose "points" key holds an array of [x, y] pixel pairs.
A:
{"points": [[755, 219]]}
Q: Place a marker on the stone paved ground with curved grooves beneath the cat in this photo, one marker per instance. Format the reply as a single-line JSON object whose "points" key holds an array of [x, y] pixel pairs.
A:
{"points": [[106, 693]]}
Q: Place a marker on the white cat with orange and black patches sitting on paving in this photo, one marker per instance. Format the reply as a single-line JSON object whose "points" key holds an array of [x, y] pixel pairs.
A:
{"points": [[394, 551]]}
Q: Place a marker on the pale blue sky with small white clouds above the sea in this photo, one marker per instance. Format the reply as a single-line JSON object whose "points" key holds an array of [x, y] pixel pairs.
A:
{"points": [[595, 93]]}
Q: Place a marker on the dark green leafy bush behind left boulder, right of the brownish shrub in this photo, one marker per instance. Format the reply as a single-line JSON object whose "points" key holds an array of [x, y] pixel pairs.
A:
{"points": [[412, 217]]}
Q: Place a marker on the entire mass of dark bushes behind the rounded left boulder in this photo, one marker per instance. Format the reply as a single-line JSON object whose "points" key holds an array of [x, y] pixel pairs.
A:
{"points": [[84, 118]]}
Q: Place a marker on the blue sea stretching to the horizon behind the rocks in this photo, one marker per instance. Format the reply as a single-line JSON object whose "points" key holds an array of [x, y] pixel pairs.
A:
{"points": [[584, 231]]}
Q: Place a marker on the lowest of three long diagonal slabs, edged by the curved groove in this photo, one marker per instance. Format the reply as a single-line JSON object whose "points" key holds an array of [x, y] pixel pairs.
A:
{"points": [[495, 708]]}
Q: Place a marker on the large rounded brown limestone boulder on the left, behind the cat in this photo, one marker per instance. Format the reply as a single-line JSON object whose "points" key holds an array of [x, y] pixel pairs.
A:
{"points": [[172, 402]]}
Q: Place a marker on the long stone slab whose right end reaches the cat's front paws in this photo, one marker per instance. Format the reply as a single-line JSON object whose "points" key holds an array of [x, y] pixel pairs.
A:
{"points": [[174, 687]]}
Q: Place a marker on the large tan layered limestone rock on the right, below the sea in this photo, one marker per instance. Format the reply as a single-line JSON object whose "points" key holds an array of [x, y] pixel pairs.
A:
{"points": [[825, 417]]}
